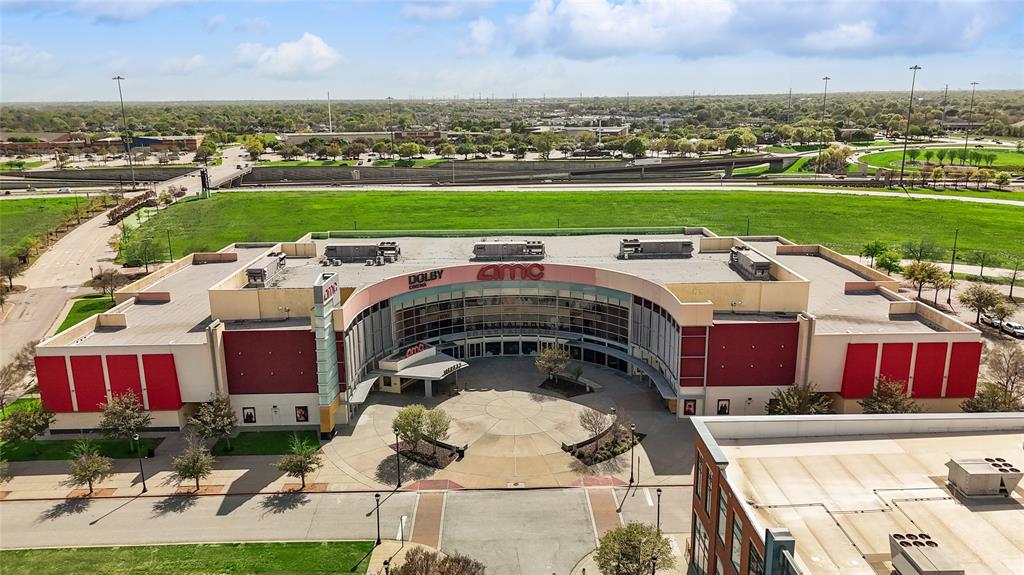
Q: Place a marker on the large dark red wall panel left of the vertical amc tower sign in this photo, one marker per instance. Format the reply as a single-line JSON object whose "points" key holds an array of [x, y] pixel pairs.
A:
{"points": [[271, 362]]}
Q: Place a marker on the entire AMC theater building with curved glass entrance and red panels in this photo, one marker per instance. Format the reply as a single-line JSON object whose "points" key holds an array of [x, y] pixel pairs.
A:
{"points": [[298, 334]]}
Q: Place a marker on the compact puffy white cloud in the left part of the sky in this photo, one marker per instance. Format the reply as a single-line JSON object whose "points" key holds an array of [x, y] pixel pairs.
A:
{"points": [[307, 57]]}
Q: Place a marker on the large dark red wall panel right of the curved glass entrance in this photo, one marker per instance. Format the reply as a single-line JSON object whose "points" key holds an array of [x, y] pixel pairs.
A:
{"points": [[753, 355]]}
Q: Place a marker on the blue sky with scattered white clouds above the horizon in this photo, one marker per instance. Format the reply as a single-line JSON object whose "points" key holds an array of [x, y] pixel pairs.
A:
{"points": [[68, 51]]}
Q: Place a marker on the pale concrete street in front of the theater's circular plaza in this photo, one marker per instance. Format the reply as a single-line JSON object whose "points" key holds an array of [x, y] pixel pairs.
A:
{"points": [[513, 533]]}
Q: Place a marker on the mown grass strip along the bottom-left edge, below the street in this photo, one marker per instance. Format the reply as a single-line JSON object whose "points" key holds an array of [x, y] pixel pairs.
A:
{"points": [[336, 558]]}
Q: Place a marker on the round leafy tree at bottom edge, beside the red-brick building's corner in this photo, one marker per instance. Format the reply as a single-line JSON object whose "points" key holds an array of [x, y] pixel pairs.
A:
{"points": [[628, 551]]}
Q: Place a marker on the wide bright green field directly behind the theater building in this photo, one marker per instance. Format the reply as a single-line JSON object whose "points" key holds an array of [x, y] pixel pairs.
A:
{"points": [[844, 223]]}
